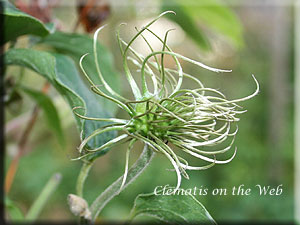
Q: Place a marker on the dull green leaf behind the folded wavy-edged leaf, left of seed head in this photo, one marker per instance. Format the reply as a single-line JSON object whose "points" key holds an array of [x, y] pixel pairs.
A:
{"points": [[76, 45]]}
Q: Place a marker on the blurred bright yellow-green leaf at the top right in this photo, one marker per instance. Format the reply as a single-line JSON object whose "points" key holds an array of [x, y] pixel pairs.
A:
{"points": [[211, 14]]}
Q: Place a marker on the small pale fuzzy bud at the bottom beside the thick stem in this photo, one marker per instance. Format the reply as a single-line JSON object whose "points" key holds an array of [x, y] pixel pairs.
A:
{"points": [[79, 206]]}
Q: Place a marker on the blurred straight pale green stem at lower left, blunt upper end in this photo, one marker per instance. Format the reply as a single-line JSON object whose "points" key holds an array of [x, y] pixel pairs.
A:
{"points": [[42, 199]]}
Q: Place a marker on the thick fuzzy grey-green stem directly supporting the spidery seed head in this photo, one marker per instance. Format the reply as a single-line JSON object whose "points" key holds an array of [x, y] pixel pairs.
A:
{"points": [[114, 189]]}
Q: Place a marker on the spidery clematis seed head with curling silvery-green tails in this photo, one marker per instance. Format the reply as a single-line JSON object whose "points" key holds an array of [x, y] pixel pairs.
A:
{"points": [[168, 119]]}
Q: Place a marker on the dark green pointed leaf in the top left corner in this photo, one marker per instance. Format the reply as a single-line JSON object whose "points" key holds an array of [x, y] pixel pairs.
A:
{"points": [[18, 23]]}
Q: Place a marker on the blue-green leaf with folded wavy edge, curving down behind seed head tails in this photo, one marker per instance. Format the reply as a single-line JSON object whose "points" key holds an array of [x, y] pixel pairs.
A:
{"points": [[61, 72]]}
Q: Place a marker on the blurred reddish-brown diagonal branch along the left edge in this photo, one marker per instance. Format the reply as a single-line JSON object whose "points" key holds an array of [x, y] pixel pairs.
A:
{"points": [[22, 144]]}
